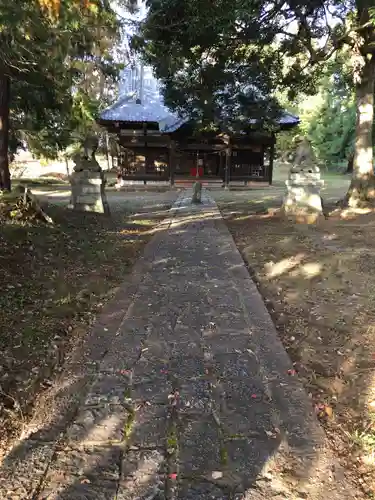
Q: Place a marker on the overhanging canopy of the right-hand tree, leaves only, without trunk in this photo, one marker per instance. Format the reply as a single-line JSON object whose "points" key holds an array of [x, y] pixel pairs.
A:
{"points": [[221, 64]]}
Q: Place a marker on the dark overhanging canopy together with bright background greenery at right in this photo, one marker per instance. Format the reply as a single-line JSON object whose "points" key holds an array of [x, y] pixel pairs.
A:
{"points": [[223, 64]]}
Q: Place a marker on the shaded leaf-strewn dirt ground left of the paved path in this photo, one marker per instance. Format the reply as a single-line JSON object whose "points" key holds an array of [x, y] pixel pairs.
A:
{"points": [[54, 281]]}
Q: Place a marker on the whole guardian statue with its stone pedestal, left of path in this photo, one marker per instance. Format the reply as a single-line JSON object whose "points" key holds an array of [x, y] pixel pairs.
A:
{"points": [[87, 181]]}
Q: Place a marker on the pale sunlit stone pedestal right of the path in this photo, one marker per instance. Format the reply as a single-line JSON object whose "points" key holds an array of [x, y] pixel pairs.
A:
{"points": [[303, 201]]}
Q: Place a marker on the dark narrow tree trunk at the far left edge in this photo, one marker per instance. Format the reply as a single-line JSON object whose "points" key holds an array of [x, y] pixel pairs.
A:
{"points": [[4, 133]]}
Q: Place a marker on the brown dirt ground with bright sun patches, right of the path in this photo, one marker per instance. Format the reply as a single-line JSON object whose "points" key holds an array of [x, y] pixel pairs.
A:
{"points": [[319, 286]]}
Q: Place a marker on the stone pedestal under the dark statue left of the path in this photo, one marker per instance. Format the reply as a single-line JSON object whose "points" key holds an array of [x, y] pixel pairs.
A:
{"points": [[88, 194]]}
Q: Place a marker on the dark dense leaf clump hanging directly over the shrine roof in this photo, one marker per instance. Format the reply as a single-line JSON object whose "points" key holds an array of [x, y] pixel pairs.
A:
{"points": [[210, 69]]}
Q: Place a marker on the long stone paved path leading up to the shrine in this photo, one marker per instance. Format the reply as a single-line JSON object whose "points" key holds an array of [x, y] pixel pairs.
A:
{"points": [[192, 399]]}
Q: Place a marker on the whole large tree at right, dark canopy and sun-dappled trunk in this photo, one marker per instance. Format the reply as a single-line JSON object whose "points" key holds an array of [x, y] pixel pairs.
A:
{"points": [[224, 61]]}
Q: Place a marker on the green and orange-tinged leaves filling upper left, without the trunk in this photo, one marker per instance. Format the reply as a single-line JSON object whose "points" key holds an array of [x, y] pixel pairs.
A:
{"points": [[59, 58]]}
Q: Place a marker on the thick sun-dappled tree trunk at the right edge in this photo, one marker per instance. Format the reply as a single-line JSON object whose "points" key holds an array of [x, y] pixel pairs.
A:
{"points": [[362, 187]]}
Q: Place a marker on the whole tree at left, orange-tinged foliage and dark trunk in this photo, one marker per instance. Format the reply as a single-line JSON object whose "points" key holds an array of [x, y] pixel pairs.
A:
{"points": [[46, 47]]}
